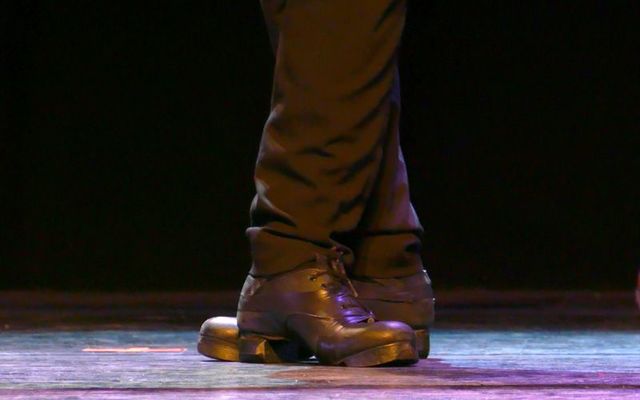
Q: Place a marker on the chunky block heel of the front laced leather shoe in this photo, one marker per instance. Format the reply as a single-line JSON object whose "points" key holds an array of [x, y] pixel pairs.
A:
{"points": [[255, 348]]}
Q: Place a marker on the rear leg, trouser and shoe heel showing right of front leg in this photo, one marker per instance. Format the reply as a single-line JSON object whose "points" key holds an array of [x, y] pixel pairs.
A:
{"points": [[388, 272]]}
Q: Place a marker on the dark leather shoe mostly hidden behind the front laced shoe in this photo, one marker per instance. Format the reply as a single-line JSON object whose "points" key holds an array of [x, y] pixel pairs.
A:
{"points": [[408, 299]]}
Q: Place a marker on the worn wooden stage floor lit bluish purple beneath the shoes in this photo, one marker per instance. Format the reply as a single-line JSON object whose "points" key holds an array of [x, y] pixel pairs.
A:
{"points": [[500, 358]]}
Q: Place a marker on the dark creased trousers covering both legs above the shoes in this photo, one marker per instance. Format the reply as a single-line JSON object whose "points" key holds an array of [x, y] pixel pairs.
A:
{"points": [[330, 175]]}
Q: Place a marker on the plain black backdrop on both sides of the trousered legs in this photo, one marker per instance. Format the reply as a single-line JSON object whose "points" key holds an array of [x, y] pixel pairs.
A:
{"points": [[129, 132]]}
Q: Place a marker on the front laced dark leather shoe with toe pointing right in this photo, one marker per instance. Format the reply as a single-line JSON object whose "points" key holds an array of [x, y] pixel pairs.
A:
{"points": [[313, 310]]}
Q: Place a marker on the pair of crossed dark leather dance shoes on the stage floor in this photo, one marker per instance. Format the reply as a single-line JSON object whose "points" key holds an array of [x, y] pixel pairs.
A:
{"points": [[317, 310]]}
